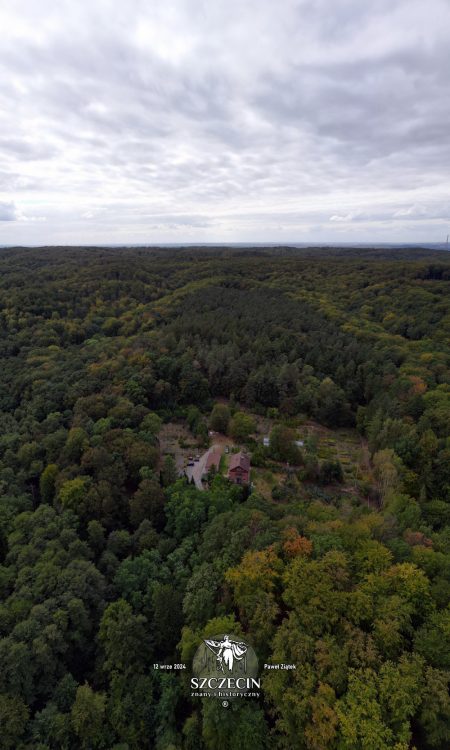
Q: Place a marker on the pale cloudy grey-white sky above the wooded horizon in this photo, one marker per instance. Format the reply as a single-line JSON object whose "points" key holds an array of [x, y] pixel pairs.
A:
{"points": [[176, 121]]}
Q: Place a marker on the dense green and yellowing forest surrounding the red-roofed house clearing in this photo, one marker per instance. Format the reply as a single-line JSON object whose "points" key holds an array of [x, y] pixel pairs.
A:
{"points": [[110, 561]]}
